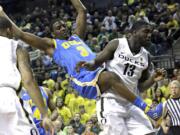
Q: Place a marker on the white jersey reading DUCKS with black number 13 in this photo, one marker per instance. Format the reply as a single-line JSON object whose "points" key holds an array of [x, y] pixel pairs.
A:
{"points": [[127, 66]]}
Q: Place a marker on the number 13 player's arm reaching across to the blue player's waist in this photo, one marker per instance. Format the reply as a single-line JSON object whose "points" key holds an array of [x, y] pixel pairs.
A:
{"points": [[103, 56]]}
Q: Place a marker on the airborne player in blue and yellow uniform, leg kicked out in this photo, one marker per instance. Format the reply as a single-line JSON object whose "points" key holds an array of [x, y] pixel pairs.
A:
{"points": [[68, 53]]}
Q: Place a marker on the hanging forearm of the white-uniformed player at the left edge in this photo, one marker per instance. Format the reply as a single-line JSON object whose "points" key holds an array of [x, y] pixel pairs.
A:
{"points": [[36, 96]]}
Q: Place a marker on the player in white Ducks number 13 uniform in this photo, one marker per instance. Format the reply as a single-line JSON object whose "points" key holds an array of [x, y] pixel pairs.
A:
{"points": [[127, 58]]}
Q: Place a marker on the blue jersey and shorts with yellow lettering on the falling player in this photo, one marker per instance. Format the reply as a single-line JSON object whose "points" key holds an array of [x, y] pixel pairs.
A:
{"points": [[67, 54]]}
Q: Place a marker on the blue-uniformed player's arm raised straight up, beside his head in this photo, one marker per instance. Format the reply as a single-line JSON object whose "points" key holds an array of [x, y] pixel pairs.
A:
{"points": [[81, 18]]}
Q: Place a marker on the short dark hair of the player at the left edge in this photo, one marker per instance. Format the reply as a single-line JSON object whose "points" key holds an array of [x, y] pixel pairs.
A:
{"points": [[4, 23]]}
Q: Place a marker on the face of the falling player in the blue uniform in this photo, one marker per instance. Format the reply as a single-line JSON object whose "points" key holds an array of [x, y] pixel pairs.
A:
{"points": [[60, 30]]}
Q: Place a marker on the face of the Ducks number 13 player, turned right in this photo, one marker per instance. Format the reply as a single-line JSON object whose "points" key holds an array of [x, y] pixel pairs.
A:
{"points": [[144, 35]]}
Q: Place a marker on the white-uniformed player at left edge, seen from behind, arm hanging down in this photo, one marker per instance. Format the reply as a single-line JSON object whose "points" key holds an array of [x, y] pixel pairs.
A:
{"points": [[14, 120]]}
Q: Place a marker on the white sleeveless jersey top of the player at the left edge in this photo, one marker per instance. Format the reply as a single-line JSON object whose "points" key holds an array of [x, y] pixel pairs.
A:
{"points": [[9, 74]]}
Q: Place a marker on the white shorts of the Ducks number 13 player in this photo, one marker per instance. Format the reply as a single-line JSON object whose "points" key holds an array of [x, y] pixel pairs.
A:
{"points": [[121, 119]]}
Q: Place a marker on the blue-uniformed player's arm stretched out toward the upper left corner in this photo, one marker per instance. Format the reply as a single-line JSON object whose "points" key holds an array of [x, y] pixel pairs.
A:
{"points": [[45, 44]]}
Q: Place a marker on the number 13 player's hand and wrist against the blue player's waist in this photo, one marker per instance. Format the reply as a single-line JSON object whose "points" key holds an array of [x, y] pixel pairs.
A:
{"points": [[88, 65]]}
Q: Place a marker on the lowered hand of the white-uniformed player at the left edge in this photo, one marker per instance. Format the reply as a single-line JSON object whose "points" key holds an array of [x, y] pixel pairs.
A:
{"points": [[48, 125]]}
